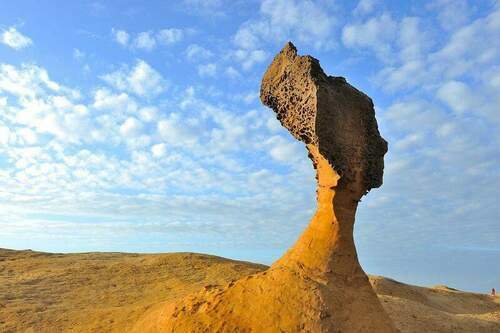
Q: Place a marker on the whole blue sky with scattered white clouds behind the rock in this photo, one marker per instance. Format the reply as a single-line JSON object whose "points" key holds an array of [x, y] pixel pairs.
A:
{"points": [[136, 126]]}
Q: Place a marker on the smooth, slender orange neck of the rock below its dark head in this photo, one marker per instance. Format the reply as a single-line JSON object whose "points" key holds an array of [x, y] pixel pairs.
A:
{"points": [[326, 248]]}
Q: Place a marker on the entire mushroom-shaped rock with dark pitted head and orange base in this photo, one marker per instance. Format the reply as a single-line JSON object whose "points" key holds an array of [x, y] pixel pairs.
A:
{"points": [[318, 285]]}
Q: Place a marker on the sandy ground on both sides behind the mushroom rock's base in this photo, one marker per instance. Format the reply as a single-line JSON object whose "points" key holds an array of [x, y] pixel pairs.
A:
{"points": [[109, 292]]}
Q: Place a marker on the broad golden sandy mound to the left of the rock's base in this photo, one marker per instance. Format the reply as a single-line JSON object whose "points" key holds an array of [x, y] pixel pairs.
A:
{"points": [[100, 292]]}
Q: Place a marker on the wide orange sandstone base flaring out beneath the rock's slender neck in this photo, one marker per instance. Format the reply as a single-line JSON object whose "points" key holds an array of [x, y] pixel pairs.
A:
{"points": [[277, 300]]}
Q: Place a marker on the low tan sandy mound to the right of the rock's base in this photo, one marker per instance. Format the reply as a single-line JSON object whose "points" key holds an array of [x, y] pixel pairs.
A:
{"points": [[439, 309]]}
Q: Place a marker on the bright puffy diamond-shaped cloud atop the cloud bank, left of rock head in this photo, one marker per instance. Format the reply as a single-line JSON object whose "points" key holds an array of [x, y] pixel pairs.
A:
{"points": [[141, 80]]}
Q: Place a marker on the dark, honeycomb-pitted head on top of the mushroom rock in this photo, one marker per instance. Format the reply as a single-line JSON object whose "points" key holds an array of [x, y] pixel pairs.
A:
{"points": [[328, 112]]}
